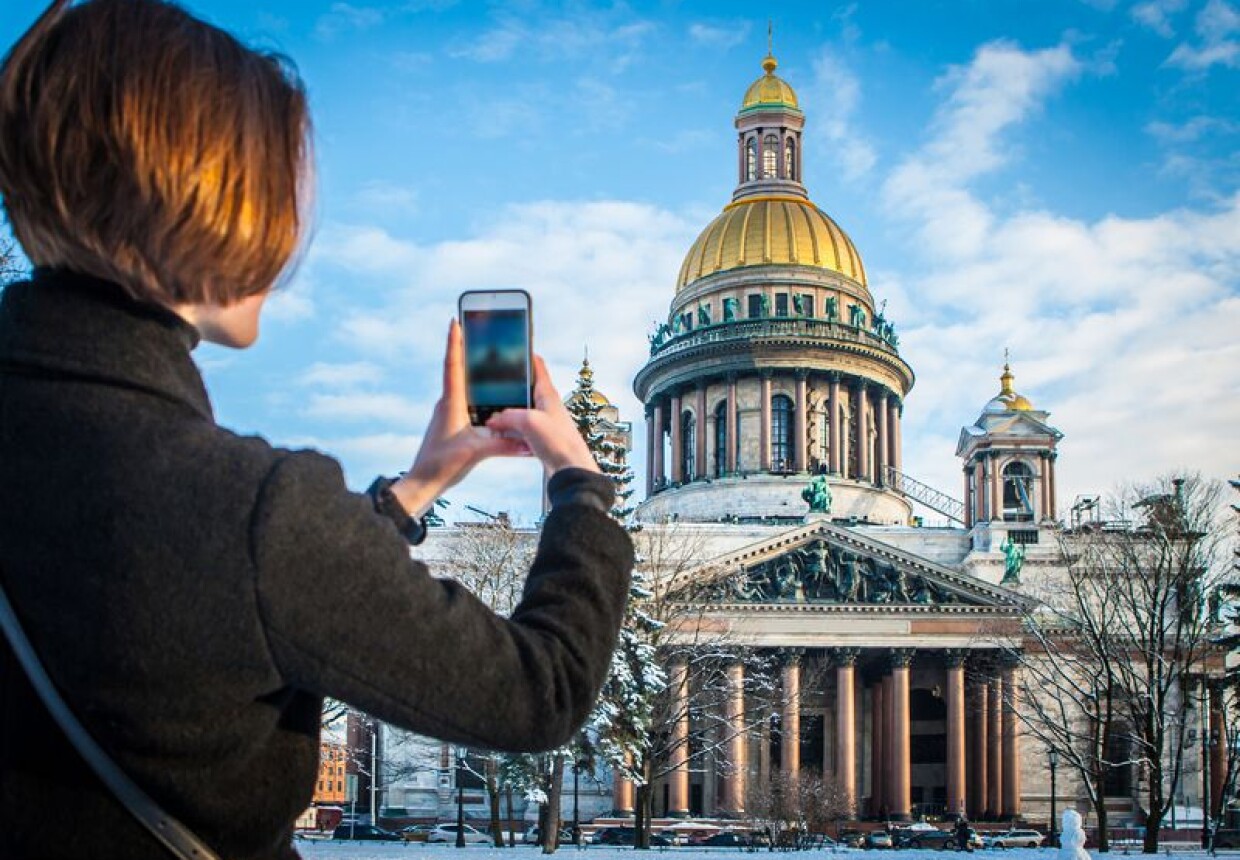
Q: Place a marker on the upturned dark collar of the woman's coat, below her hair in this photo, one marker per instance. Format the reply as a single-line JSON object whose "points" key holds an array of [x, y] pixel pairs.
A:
{"points": [[66, 324]]}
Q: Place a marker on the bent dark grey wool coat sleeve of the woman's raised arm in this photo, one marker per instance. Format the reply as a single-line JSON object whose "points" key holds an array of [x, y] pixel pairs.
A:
{"points": [[350, 615]]}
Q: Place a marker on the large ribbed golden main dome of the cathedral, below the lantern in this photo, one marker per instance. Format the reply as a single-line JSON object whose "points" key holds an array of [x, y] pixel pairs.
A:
{"points": [[776, 230]]}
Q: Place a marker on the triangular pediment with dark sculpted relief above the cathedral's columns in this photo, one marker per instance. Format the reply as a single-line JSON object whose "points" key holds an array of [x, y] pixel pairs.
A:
{"points": [[833, 566]]}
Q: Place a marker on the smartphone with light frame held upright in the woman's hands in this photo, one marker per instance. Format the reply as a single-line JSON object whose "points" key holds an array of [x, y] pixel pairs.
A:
{"points": [[498, 329]]}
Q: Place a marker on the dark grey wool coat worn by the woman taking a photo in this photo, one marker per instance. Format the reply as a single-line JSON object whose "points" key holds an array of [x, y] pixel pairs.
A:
{"points": [[195, 594]]}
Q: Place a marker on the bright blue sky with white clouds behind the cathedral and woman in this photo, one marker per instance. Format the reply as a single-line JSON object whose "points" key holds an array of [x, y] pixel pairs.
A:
{"points": [[1058, 178]]}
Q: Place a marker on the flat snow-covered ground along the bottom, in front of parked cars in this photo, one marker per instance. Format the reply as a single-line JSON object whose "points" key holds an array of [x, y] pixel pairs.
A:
{"points": [[345, 851]]}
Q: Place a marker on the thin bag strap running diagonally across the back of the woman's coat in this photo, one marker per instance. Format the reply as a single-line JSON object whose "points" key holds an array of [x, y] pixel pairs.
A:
{"points": [[174, 836]]}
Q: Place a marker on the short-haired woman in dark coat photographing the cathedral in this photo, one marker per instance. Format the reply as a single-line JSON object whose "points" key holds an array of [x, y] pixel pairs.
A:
{"points": [[193, 593]]}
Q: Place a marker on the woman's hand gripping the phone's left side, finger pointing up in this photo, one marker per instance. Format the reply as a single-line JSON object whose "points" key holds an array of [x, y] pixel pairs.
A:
{"points": [[452, 447]]}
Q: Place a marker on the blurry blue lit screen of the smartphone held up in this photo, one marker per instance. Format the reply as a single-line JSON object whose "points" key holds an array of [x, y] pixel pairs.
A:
{"points": [[497, 359]]}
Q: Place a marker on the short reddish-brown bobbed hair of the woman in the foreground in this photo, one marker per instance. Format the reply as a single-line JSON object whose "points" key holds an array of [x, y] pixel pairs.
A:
{"points": [[143, 146]]}
